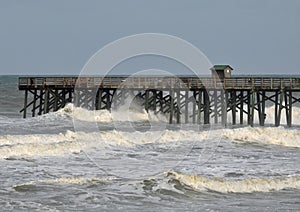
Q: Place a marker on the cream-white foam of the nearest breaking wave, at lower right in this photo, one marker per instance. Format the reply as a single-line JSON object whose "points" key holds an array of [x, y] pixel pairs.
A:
{"points": [[236, 186]]}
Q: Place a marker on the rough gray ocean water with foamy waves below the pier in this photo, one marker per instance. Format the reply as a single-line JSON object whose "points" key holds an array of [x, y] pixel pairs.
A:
{"points": [[75, 159]]}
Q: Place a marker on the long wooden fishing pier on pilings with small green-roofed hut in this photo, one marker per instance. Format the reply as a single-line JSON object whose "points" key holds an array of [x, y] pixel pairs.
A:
{"points": [[220, 98]]}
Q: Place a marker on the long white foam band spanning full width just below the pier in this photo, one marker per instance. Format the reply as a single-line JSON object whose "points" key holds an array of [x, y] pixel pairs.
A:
{"points": [[75, 142]]}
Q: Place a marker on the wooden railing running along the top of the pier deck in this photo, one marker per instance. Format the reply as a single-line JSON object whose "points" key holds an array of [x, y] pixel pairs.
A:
{"points": [[266, 83]]}
